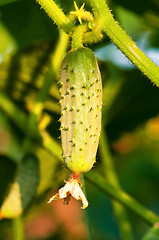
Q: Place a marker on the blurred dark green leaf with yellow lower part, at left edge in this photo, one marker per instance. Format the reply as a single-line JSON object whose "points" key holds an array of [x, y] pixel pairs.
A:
{"points": [[23, 189]]}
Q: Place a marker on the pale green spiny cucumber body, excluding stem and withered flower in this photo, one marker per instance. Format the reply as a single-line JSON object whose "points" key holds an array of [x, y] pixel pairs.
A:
{"points": [[81, 104]]}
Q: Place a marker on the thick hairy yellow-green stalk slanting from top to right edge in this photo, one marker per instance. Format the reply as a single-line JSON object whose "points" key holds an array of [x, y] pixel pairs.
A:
{"points": [[124, 42]]}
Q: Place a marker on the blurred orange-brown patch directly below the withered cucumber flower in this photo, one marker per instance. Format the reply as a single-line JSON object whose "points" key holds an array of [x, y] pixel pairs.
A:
{"points": [[57, 218]]}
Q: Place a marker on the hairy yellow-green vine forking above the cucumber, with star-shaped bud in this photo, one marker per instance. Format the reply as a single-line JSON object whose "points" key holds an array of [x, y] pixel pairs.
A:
{"points": [[103, 23]]}
